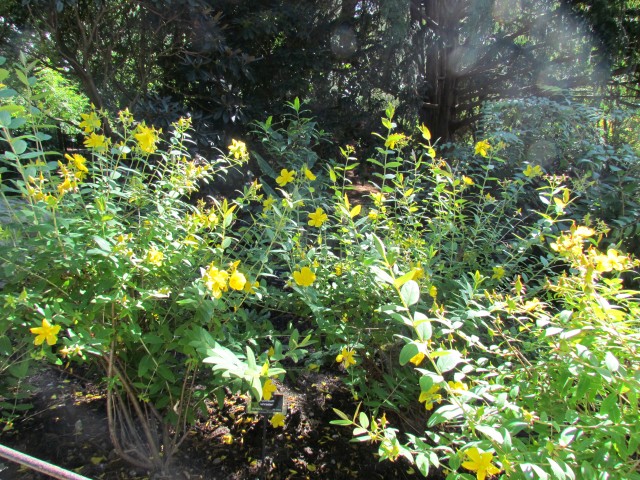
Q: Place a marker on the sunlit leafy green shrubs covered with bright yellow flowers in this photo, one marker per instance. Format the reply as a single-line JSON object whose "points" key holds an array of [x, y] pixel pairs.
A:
{"points": [[480, 322]]}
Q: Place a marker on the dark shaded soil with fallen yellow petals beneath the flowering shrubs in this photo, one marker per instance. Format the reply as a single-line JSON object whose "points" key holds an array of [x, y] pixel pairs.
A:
{"points": [[68, 427]]}
